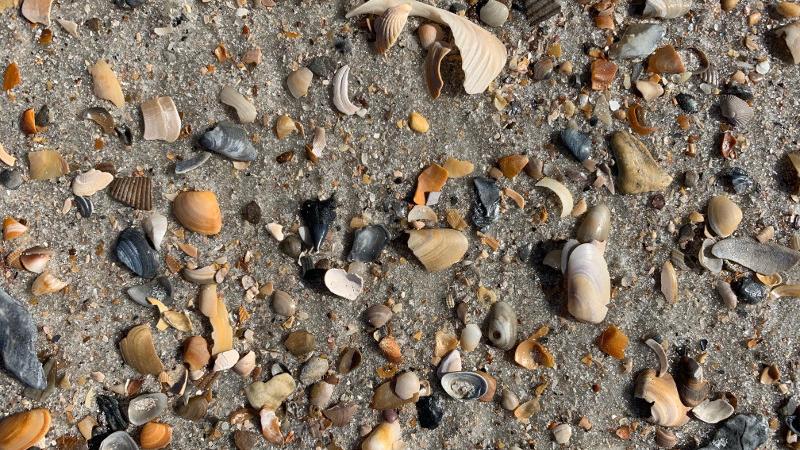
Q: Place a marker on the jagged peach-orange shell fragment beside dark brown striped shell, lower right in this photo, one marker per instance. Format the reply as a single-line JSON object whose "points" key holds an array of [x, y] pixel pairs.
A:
{"points": [[666, 409]]}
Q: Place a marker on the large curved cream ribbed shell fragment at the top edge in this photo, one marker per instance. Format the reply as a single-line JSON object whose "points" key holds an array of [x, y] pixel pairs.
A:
{"points": [[482, 54]]}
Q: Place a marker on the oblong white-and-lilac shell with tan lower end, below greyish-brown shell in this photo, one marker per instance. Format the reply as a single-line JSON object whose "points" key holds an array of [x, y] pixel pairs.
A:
{"points": [[588, 284]]}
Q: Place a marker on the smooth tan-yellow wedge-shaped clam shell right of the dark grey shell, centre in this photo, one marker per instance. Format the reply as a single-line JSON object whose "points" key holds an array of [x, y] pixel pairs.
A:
{"points": [[437, 249]]}
